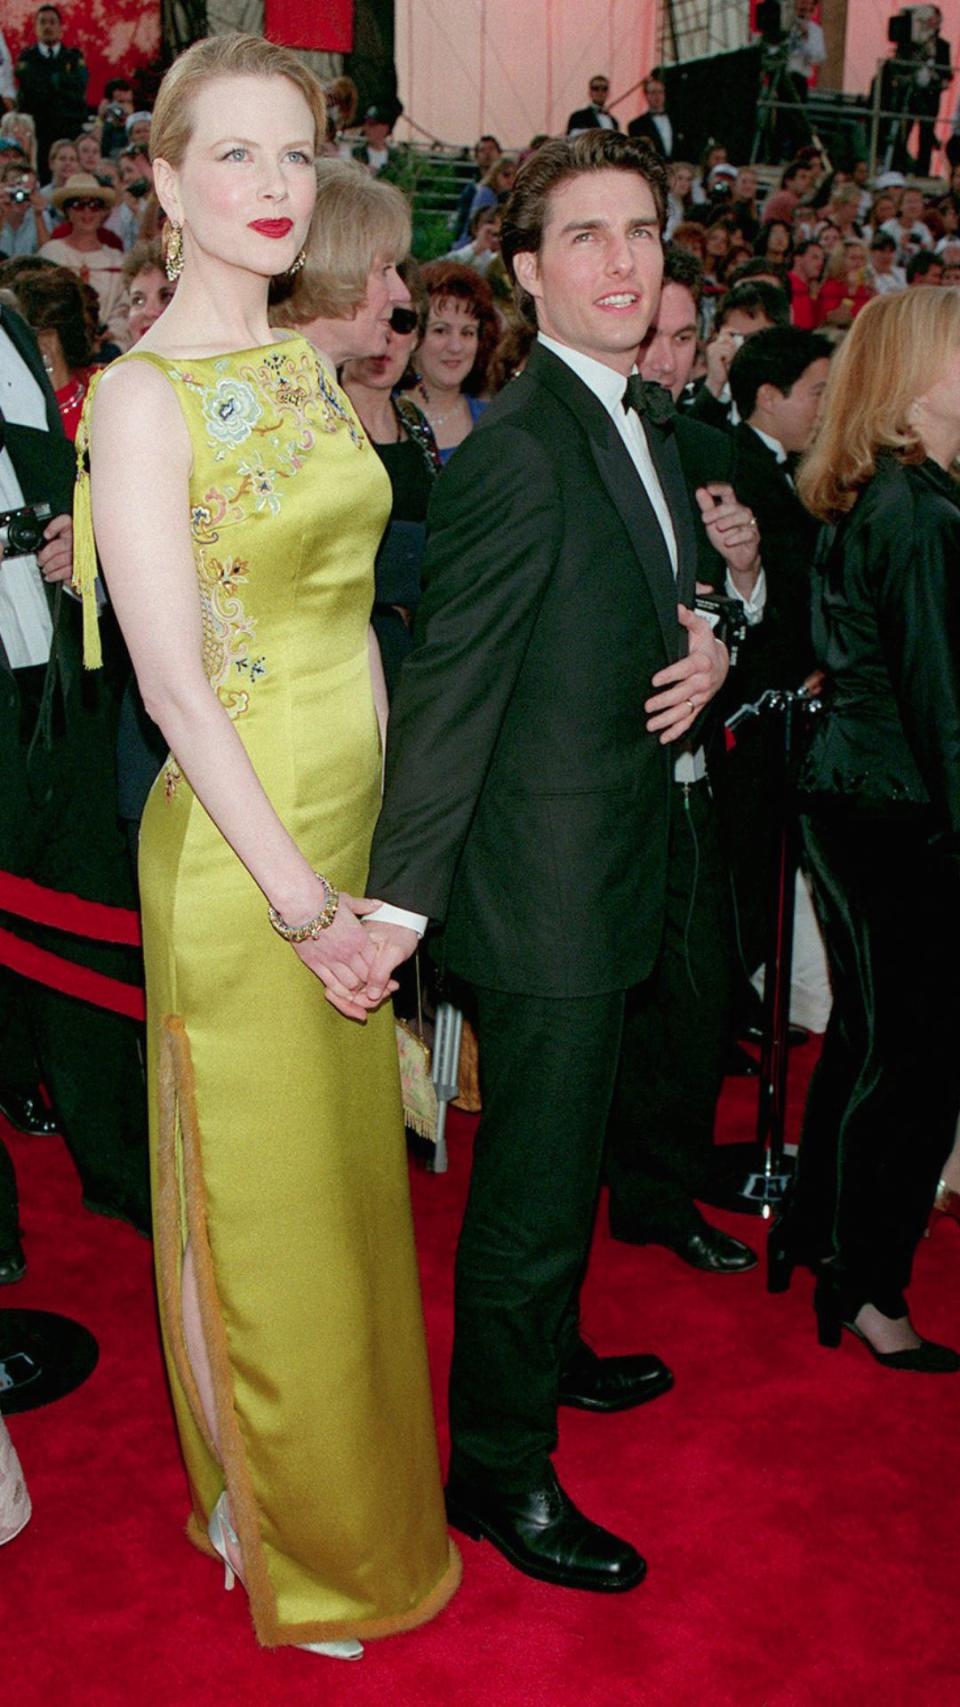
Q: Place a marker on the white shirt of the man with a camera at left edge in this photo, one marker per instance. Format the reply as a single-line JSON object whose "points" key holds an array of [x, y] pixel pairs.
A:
{"points": [[26, 629]]}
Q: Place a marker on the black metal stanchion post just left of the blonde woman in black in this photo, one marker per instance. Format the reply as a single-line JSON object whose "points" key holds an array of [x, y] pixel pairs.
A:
{"points": [[752, 1177]]}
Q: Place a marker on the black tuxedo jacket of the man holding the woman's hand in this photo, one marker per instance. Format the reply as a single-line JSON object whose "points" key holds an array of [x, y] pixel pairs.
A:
{"points": [[527, 807]]}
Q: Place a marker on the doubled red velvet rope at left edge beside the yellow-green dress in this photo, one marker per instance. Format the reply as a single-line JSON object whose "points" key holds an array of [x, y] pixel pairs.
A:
{"points": [[83, 919]]}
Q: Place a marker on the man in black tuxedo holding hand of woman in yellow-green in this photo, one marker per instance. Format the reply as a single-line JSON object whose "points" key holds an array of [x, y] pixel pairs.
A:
{"points": [[534, 810]]}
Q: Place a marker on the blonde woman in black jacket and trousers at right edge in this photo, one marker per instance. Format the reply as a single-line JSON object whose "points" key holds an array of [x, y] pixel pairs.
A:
{"points": [[882, 822]]}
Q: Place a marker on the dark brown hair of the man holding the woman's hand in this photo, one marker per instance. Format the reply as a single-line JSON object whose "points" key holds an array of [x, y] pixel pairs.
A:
{"points": [[558, 161]]}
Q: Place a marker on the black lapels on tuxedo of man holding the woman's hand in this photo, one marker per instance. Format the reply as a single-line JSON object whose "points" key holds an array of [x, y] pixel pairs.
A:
{"points": [[624, 487]]}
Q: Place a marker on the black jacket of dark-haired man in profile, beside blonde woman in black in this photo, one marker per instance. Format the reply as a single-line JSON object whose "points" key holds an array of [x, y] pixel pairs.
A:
{"points": [[778, 653]]}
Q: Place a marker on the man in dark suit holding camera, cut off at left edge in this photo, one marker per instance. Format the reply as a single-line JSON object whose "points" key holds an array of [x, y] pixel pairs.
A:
{"points": [[59, 822]]}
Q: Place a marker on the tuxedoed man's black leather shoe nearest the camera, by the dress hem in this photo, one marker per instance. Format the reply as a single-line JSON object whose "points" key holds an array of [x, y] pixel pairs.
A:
{"points": [[544, 1535]]}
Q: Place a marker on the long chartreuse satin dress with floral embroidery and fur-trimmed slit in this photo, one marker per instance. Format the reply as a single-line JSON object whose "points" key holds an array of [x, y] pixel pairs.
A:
{"points": [[276, 1122]]}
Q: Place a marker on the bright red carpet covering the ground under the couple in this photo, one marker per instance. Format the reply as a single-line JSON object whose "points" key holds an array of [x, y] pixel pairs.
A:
{"points": [[799, 1508]]}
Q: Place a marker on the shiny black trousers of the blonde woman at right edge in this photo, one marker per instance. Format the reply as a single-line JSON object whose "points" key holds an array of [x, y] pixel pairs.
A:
{"points": [[884, 1100]]}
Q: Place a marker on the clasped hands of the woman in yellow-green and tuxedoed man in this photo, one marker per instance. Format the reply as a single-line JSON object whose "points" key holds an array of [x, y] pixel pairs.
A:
{"points": [[356, 962]]}
